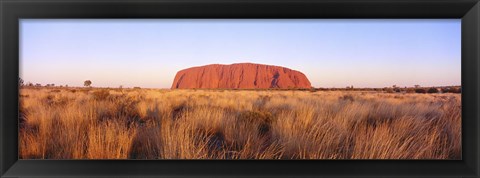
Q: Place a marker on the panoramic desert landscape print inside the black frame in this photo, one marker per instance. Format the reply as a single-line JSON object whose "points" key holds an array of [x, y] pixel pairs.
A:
{"points": [[219, 89]]}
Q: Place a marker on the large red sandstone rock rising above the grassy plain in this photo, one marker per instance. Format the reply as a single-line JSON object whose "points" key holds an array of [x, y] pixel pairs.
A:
{"points": [[241, 75]]}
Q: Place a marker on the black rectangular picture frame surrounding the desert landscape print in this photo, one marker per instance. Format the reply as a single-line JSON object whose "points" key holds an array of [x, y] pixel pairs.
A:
{"points": [[13, 10]]}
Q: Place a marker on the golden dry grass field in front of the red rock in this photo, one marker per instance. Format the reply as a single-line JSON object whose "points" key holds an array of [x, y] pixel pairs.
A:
{"points": [[68, 123]]}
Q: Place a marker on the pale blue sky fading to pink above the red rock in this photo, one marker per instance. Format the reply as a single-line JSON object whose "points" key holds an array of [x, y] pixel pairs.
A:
{"points": [[331, 53]]}
